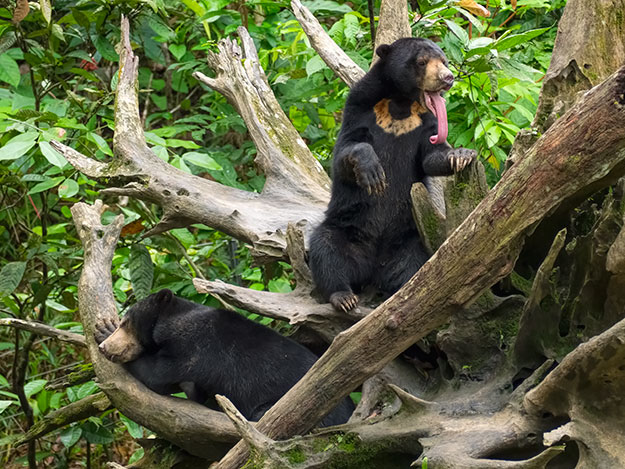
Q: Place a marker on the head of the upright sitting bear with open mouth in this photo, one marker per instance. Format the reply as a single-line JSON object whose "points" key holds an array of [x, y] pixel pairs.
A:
{"points": [[415, 66]]}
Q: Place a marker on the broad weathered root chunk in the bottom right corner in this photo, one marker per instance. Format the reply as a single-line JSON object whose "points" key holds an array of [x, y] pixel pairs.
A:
{"points": [[588, 388]]}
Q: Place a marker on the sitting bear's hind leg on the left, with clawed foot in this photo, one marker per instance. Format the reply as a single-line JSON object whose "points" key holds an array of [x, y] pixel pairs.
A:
{"points": [[338, 265]]}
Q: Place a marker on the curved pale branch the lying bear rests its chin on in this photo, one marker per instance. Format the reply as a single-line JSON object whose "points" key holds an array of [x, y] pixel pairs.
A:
{"points": [[187, 424]]}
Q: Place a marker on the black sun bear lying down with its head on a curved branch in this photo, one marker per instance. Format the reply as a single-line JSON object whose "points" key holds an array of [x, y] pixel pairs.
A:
{"points": [[172, 345]]}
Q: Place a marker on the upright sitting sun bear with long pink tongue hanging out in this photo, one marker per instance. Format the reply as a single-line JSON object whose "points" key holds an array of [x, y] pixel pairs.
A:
{"points": [[394, 134]]}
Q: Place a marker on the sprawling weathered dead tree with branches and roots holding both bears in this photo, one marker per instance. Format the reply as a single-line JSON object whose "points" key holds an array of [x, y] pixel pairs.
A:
{"points": [[475, 407]]}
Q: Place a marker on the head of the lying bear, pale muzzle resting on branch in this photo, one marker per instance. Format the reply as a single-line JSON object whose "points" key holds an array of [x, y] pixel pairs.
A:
{"points": [[134, 335]]}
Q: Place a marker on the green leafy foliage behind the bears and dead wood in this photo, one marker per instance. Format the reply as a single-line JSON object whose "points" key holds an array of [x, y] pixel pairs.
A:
{"points": [[58, 74]]}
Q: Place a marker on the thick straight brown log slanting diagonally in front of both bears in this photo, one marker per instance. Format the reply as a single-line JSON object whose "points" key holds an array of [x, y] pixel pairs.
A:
{"points": [[480, 252]]}
